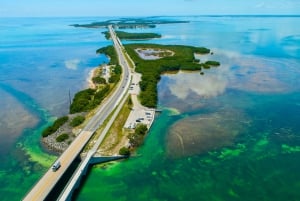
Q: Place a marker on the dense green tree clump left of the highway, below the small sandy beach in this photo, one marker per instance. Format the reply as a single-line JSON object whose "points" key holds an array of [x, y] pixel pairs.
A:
{"points": [[88, 99]]}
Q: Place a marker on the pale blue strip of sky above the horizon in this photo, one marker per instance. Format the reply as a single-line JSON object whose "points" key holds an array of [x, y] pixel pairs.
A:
{"points": [[55, 8]]}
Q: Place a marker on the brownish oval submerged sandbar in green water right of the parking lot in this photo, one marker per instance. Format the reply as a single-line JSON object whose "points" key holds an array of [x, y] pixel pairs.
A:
{"points": [[203, 133]]}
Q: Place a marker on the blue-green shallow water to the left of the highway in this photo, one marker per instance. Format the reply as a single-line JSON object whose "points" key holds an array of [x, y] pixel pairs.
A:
{"points": [[41, 60]]}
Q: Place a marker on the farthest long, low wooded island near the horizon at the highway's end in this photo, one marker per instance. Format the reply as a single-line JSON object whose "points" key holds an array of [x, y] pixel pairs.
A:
{"points": [[129, 23]]}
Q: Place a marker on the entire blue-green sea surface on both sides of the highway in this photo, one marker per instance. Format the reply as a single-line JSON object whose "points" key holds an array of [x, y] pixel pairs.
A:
{"points": [[230, 134]]}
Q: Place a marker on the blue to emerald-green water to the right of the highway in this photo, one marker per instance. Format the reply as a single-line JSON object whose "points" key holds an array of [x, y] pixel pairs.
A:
{"points": [[231, 134]]}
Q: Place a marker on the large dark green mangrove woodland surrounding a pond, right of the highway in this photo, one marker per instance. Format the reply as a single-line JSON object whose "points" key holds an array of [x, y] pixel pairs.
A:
{"points": [[151, 70]]}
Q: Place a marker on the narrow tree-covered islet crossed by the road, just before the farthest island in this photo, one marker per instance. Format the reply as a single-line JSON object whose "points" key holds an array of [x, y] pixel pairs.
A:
{"points": [[133, 36]]}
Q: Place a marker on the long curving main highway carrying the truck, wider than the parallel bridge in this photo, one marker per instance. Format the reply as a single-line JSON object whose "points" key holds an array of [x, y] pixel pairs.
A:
{"points": [[44, 186]]}
